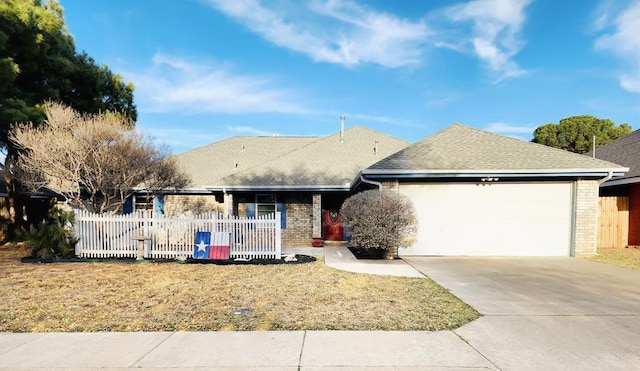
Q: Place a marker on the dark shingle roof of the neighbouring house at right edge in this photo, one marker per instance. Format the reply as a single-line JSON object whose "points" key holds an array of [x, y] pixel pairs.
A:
{"points": [[624, 151]]}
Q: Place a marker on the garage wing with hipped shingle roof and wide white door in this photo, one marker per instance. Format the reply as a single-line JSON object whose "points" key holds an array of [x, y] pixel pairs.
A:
{"points": [[479, 193]]}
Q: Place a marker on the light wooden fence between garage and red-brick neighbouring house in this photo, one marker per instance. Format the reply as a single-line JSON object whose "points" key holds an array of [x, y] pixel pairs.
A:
{"points": [[613, 221]]}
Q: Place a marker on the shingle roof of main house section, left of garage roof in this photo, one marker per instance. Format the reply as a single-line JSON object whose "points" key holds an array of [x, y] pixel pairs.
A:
{"points": [[287, 161]]}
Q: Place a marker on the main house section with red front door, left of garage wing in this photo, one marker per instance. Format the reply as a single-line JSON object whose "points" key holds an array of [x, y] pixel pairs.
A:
{"points": [[305, 178]]}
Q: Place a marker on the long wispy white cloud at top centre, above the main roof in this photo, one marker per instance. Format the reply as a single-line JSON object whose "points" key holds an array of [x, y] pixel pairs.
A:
{"points": [[332, 31]]}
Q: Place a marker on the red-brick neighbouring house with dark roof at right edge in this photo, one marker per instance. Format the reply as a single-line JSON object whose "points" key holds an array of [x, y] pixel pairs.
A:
{"points": [[625, 151]]}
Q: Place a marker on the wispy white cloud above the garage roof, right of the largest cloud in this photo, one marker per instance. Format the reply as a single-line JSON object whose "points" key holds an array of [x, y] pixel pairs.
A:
{"points": [[494, 35]]}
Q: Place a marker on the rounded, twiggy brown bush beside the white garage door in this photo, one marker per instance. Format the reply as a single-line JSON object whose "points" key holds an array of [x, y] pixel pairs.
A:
{"points": [[380, 220]]}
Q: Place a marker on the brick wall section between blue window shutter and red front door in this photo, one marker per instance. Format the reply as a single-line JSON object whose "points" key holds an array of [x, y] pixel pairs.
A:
{"points": [[299, 231]]}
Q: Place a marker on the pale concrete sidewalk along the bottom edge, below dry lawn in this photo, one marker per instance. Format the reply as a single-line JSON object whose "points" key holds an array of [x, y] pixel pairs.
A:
{"points": [[268, 350]]}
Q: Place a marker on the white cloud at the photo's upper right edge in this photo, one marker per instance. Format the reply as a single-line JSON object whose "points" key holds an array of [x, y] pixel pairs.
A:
{"points": [[625, 43]]}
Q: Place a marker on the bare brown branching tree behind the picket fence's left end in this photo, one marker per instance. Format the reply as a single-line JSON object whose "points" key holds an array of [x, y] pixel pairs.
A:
{"points": [[95, 161]]}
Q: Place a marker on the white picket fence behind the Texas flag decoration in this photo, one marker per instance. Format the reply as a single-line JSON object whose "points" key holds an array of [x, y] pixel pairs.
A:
{"points": [[112, 236]]}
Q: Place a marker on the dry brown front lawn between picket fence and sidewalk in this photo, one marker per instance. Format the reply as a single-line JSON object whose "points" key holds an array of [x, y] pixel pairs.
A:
{"points": [[190, 297]]}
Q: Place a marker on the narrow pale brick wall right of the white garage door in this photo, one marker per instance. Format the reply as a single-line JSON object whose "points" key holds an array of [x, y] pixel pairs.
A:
{"points": [[586, 219]]}
